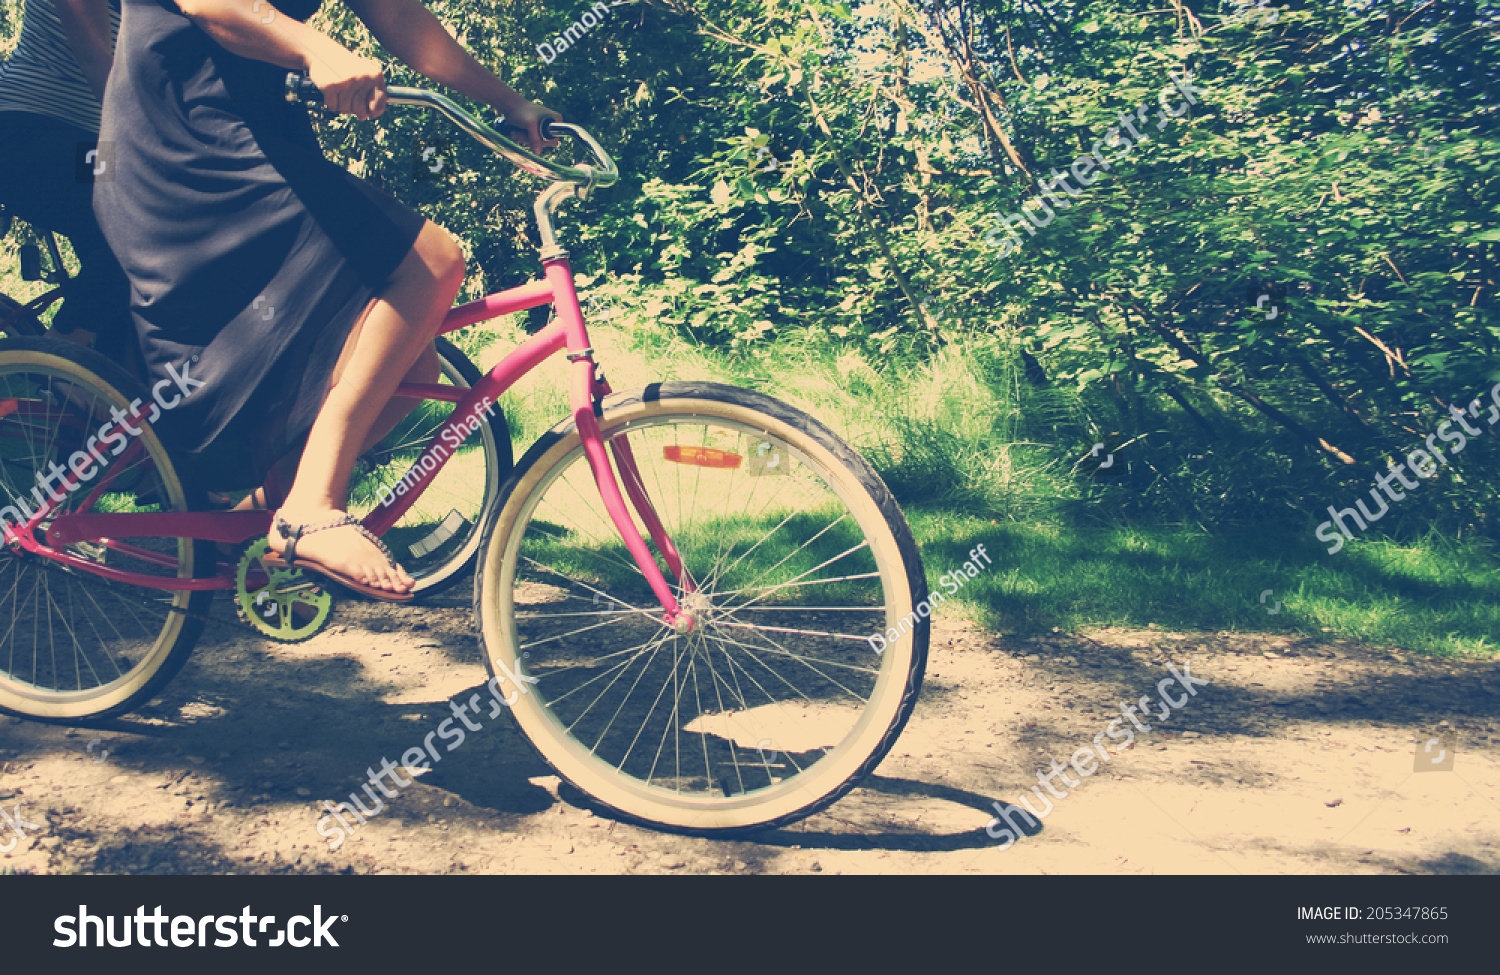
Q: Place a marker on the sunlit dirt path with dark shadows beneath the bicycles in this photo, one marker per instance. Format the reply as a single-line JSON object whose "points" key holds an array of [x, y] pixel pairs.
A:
{"points": [[1294, 758]]}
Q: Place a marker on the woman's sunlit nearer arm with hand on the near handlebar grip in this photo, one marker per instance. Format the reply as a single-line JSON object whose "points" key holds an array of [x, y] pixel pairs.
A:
{"points": [[259, 31]]}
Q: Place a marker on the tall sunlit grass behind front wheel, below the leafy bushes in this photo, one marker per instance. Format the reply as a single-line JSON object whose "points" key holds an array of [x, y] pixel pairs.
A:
{"points": [[944, 433]]}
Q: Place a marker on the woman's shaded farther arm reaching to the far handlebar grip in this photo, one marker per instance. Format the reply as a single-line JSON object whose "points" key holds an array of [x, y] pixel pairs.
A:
{"points": [[416, 37]]}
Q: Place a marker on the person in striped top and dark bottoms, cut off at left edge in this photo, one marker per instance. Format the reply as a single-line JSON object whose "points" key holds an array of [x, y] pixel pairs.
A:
{"points": [[50, 95]]}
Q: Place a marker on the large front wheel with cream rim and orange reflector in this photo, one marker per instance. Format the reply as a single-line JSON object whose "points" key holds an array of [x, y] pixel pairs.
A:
{"points": [[802, 575]]}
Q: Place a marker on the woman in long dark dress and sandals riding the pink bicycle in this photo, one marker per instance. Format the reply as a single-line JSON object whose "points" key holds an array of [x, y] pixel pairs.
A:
{"points": [[296, 295]]}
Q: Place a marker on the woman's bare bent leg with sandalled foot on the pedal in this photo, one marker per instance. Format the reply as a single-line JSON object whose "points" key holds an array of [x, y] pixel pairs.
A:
{"points": [[382, 350]]}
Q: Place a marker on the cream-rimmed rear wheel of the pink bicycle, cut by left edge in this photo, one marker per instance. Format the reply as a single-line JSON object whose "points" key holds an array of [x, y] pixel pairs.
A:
{"points": [[76, 646]]}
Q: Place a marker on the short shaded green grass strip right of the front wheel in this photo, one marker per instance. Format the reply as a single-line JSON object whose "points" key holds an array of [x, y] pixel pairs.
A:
{"points": [[1439, 598]]}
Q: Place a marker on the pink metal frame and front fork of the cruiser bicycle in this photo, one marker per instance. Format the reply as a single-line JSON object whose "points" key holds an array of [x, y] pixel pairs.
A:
{"points": [[587, 389]]}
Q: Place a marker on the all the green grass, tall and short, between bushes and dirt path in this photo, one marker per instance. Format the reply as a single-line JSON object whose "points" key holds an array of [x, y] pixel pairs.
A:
{"points": [[949, 442]]}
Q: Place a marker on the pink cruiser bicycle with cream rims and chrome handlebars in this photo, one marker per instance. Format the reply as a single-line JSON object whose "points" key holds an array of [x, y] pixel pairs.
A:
{"points": [[677, 587]]}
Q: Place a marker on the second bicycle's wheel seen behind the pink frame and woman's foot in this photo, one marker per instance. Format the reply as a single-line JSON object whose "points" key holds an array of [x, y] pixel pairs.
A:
{"points": [[439, 536]]}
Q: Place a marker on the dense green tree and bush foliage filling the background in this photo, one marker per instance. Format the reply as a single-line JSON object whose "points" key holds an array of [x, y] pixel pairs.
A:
{"points": [[1280, 289]]}
